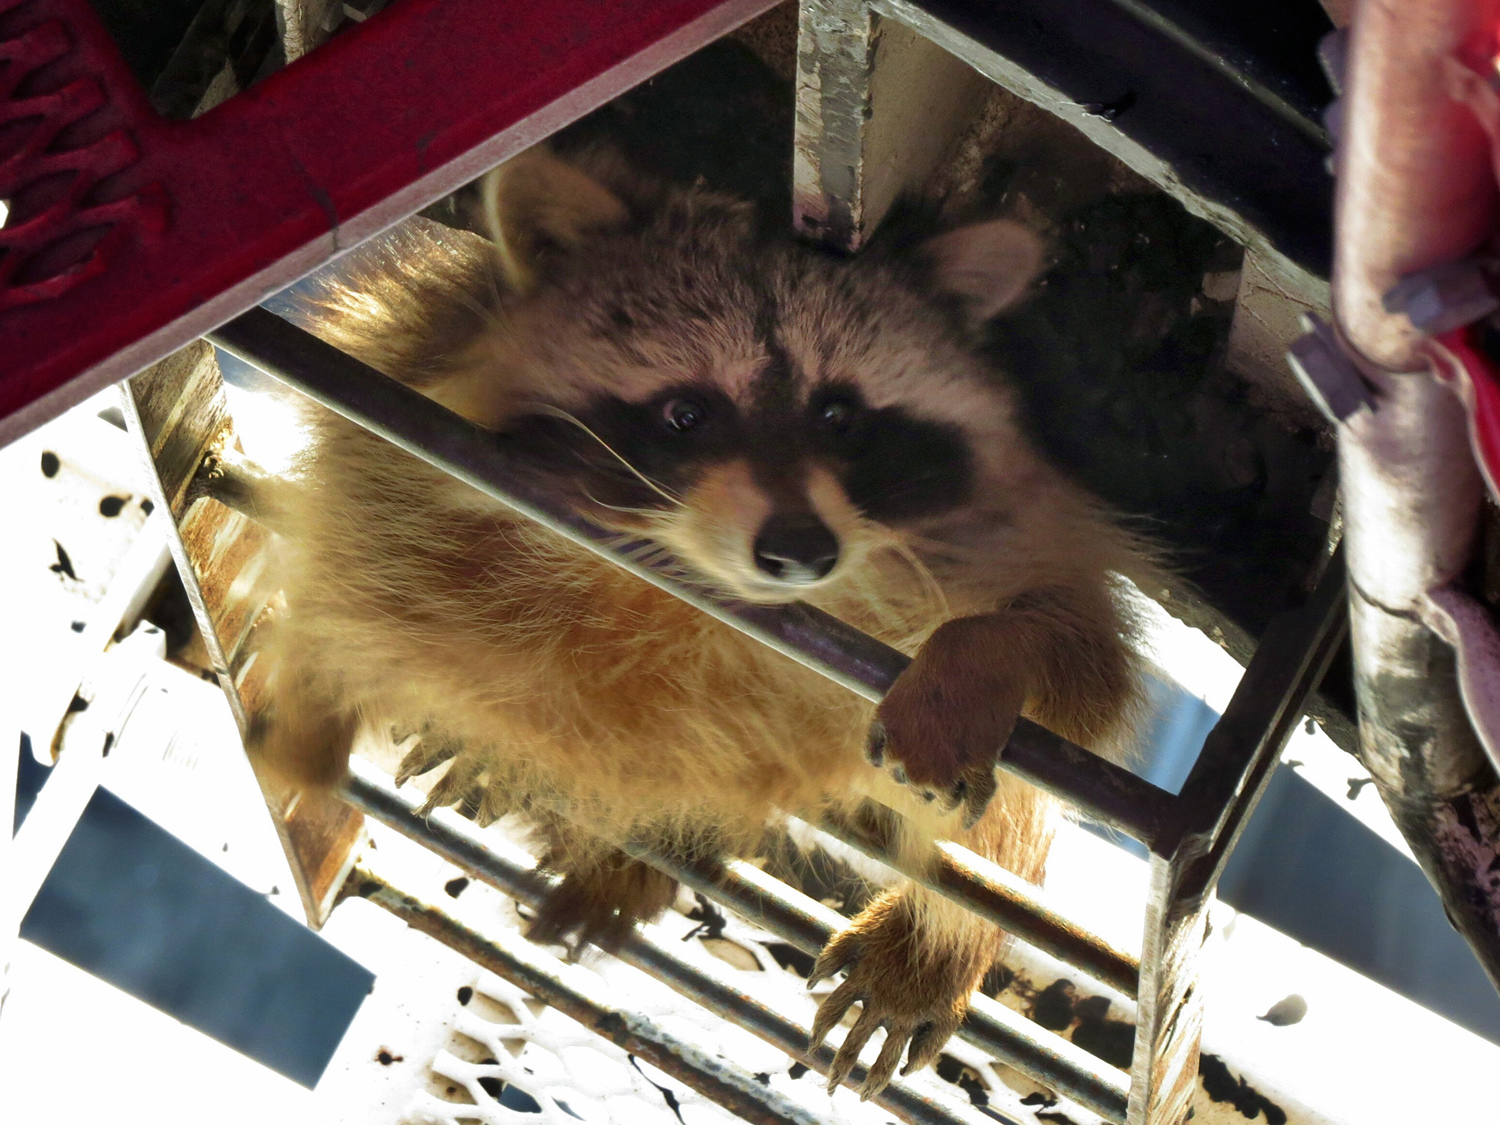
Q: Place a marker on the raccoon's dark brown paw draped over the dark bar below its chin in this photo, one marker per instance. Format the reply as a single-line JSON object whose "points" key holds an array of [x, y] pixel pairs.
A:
{"points": [[949, 716]]}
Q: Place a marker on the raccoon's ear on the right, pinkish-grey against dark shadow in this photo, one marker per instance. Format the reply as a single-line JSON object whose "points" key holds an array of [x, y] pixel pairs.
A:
{"points": [[989, 266]]}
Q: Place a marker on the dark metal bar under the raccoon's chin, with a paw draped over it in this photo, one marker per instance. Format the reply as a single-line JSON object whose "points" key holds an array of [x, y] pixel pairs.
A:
{"points": [[416, 424]]}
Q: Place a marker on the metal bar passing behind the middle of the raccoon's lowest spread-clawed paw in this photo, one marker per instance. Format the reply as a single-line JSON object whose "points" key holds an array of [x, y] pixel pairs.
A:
{"points": [[992, 1027]]}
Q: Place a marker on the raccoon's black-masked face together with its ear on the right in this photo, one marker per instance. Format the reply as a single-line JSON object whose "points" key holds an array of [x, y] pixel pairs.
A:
{"points": [[767, 413]]}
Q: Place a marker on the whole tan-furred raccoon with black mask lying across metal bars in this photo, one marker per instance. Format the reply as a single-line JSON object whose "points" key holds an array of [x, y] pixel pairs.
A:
{"points": [[788, 427]]}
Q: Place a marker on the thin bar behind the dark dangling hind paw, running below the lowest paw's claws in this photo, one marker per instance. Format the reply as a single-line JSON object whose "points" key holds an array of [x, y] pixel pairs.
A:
{"points": [[512, 872]]}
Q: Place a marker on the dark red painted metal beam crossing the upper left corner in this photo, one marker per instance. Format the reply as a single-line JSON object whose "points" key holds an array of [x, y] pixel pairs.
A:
{"points": [[131, 235]]}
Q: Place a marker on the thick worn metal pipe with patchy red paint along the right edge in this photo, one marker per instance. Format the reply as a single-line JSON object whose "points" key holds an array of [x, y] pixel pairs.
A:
{"points": [[1417, 190]]}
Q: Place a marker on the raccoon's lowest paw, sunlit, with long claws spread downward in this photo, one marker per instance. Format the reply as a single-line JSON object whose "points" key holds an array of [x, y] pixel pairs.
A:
{"points": [[919, 995]]}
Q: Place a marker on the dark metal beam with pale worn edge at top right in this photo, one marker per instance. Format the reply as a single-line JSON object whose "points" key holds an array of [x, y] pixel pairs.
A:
{"points": [[1246, 161]]}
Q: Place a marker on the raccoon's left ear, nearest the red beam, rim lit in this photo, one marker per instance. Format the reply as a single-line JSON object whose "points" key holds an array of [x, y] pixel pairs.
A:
{"points": [[538, 199]]}
